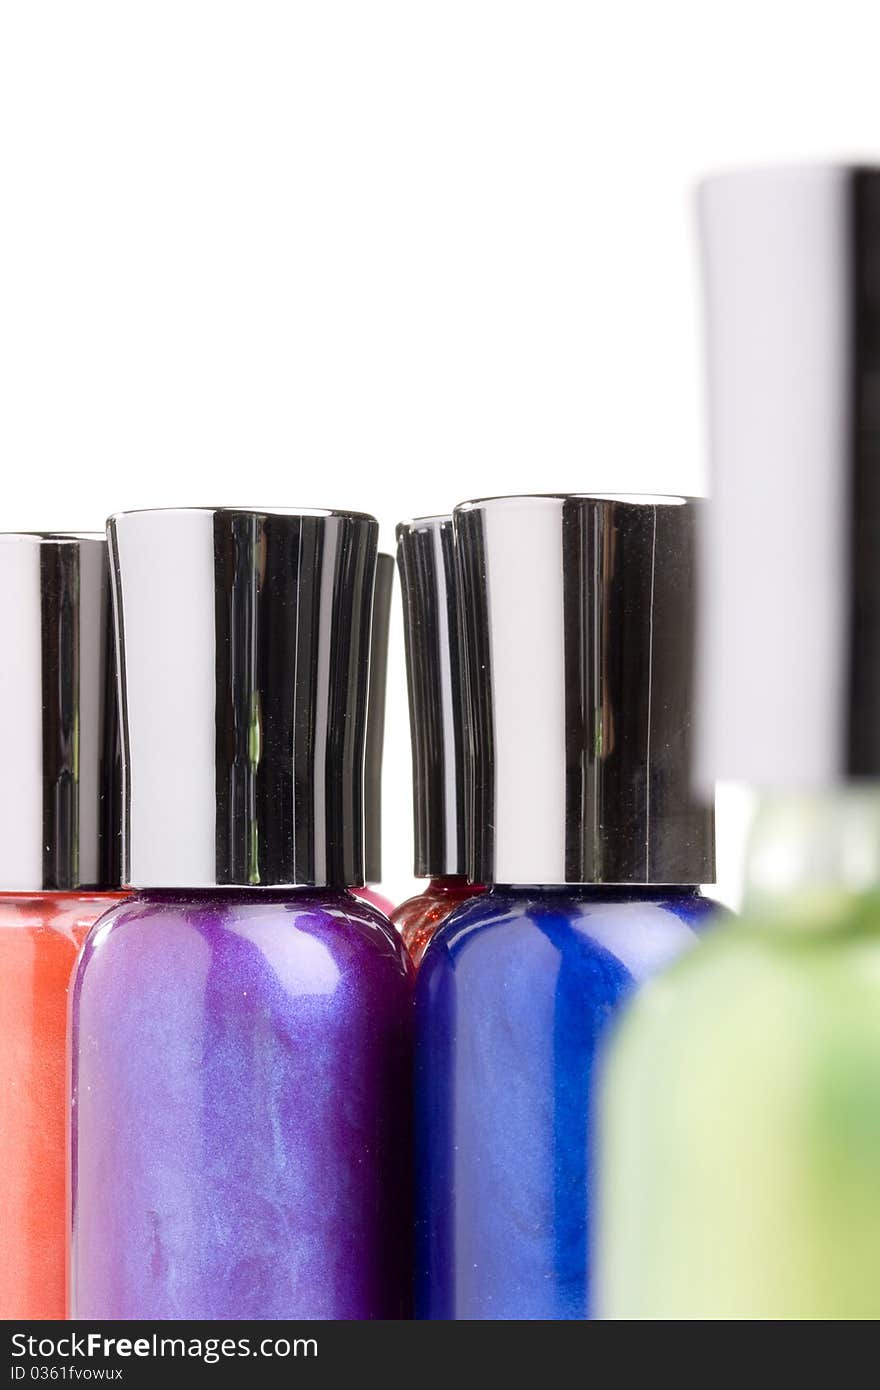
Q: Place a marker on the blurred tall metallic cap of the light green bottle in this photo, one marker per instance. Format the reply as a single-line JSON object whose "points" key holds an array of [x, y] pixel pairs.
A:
{"points": [[790, 667]]}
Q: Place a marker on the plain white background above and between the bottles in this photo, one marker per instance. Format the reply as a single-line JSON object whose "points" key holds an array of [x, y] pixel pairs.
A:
{"points": [[380, 255]]}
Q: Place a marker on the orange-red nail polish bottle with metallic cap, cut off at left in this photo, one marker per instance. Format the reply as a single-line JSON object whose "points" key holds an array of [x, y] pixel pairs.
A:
{"points": [[59, 872]]}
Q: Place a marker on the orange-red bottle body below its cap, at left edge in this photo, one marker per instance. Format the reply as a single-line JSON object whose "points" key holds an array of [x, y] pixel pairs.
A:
{"points": [[41, 935]]}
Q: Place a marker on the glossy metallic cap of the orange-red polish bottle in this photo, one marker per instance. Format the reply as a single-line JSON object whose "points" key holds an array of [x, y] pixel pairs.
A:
{"points": [[60, 767]]}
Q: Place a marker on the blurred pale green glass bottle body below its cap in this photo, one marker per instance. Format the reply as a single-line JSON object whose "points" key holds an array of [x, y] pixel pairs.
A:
{"points": [[742, 1157]]}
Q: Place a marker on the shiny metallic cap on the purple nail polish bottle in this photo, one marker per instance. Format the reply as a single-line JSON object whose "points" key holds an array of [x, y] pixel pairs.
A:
{"points": [[244, 641]]}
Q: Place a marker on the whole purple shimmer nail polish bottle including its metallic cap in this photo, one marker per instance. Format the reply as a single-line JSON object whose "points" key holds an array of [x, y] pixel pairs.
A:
{"points": [[241, 1028]]}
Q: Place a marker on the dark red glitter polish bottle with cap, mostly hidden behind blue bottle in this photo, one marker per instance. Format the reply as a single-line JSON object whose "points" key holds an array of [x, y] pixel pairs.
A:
{"points": [[437, 697]]}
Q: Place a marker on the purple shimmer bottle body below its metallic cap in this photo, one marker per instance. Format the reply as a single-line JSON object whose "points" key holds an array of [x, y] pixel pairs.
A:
{"points": [[238, 1070]]}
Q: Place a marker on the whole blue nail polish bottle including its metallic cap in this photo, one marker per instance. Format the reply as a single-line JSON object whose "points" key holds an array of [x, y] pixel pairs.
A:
{"points": [[579, 621]]}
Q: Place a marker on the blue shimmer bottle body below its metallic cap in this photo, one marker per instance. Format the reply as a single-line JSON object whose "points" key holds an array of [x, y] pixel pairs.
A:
{"points": [[512, 1006]]}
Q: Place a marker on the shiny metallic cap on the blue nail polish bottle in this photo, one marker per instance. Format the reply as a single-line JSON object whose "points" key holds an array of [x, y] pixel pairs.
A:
{"points": [[579, 614]]}
